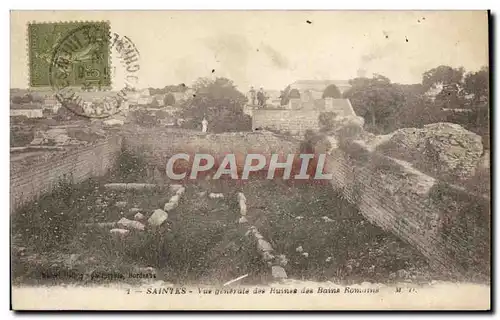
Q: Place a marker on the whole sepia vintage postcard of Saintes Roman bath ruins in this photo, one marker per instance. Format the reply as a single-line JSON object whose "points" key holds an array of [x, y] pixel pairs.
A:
{"points": [[250, 160]]}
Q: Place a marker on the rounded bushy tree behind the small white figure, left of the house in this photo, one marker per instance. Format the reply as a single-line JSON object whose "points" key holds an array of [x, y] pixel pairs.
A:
{"points": [[220, 102]]}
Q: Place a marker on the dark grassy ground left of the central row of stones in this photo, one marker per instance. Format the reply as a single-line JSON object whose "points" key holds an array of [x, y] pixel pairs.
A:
{"points": [[201, 242]]}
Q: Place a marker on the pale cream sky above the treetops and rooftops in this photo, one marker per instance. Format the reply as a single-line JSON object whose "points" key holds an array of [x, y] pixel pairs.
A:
{"points": [[275, 48]]}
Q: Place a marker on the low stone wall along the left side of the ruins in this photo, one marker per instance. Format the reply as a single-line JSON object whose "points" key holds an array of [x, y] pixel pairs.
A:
{"points": [[33, 176]]}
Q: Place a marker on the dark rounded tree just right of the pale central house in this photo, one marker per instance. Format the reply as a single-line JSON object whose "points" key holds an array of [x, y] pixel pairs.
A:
{"points": [[375, 99]]}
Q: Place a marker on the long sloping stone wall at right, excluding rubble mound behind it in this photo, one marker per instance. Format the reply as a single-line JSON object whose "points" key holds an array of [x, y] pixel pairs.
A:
{"points": [[449, 225]]}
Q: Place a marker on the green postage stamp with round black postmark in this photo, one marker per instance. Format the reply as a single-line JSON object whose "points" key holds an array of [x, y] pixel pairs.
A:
{"points": [[69, 55]]}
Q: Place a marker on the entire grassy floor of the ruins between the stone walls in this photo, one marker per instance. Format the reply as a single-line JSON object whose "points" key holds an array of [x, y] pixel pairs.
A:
{"points": [[202, 241]]}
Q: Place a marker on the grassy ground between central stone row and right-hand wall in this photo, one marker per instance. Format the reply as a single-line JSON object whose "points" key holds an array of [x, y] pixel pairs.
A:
{"points": [[344, 248]]}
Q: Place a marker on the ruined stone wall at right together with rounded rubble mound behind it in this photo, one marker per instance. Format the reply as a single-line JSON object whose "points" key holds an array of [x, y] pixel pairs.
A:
{"points": [[408, 194]]}
